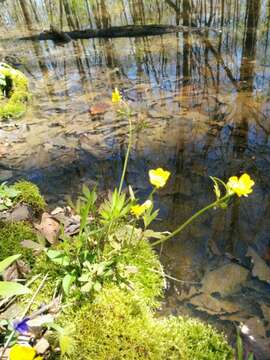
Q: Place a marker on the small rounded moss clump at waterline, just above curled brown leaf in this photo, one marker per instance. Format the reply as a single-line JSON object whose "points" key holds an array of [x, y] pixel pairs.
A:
{"points": [[30, 195]]}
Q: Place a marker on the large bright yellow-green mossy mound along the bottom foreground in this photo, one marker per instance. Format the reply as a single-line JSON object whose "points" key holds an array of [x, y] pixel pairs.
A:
{"points": [[119, 325]]}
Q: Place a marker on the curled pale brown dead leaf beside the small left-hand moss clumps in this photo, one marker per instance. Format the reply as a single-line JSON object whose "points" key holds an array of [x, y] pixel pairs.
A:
{"points": [[49, 228]]}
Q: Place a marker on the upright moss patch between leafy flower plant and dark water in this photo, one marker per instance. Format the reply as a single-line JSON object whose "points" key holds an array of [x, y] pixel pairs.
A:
{"points": [[147, 280]]}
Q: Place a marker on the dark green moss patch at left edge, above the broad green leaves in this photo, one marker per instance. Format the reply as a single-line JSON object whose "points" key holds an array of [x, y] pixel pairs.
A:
{"points": [[11, 236]]}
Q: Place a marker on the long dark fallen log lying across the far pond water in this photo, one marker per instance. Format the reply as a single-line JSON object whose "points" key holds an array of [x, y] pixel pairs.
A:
{"points": [[112, 32]]}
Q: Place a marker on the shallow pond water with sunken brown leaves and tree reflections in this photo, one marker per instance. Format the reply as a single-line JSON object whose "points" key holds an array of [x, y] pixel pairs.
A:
{"points": [[201, 108]]}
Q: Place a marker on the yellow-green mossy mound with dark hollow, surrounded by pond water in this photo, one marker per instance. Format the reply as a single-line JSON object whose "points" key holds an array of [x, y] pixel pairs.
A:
{"points": [[13, 104]]}
